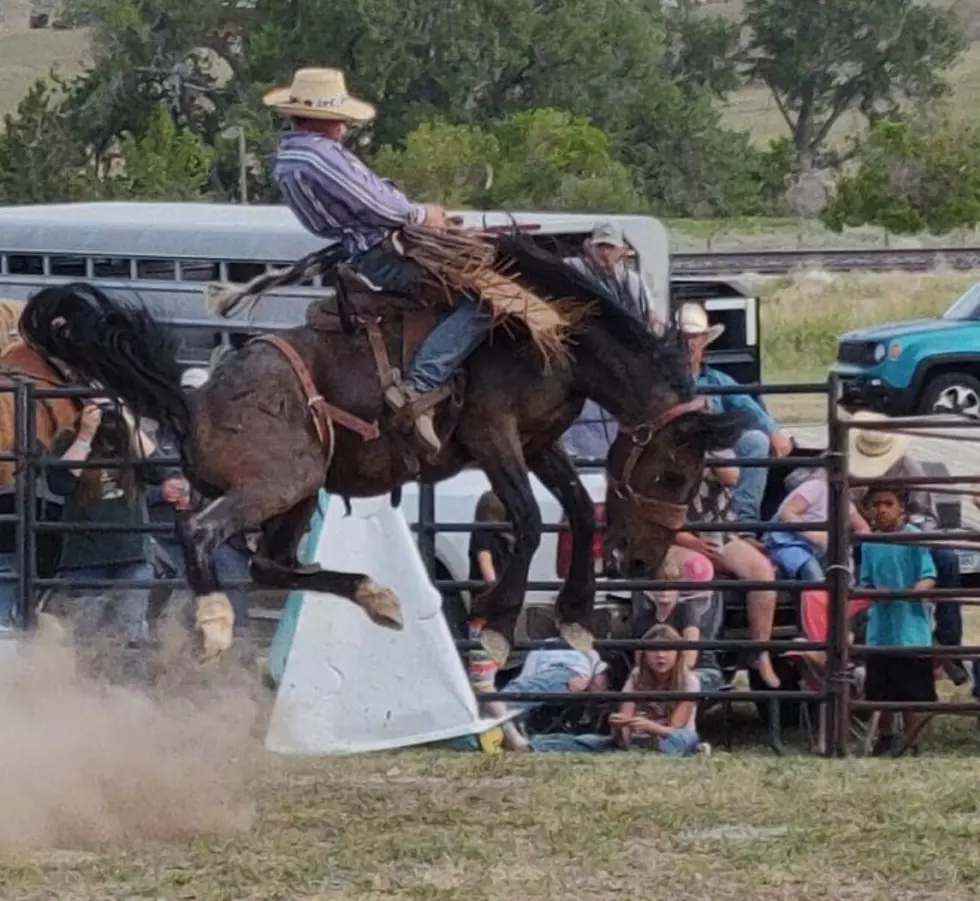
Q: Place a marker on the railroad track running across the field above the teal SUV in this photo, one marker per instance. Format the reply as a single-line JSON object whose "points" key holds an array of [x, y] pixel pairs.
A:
{"points": [[777, 262]]}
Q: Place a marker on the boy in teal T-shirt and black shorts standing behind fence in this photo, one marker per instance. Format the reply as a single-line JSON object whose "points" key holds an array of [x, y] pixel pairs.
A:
{"points": [[897, 622]]}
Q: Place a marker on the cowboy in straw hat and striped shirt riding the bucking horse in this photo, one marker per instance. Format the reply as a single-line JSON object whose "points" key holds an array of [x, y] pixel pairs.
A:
{"points": [[337, 197]]}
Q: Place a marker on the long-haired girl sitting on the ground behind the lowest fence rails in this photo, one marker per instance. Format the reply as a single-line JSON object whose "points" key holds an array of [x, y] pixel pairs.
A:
{"points": [[666, 726]]}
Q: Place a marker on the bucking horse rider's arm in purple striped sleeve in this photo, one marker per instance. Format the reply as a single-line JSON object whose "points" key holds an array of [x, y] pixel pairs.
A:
{"points": [[326, 167]]}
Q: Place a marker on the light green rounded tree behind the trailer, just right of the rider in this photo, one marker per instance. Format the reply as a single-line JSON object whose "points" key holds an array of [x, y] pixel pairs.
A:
{"points": [[543, 159]]}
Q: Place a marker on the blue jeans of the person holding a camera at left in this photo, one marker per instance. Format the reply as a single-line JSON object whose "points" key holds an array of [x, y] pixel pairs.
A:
{"points": [[118, 613]]}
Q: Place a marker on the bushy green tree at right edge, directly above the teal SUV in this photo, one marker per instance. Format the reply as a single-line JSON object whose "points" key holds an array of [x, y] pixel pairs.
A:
{"points": [[912, 177]]}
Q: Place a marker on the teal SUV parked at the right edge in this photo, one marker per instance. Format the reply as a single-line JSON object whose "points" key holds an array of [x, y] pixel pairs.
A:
{"points": [[915, 368]]}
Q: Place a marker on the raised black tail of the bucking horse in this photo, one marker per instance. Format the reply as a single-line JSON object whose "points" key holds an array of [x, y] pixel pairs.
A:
{"points": [[122, 347]]}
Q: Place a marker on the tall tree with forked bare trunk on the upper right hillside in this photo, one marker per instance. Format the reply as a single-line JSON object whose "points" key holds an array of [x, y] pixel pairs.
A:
{"points": [[824, 58]]}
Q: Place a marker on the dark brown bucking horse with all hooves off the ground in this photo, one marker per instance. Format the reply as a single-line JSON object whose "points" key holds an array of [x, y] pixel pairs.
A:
{"points": [[291, 413]]}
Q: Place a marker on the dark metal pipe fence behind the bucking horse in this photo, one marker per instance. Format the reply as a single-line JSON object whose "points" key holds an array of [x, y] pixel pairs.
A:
{"points": [[31, 463]]}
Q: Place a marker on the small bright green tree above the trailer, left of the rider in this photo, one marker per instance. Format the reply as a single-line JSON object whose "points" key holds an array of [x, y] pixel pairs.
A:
{"points": [[164, 163]]}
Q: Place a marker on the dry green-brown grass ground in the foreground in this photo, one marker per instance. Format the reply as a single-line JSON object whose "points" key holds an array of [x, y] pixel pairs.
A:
{"points": [[464, 827]]}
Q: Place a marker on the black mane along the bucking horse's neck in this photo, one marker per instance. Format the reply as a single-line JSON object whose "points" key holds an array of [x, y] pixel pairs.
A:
{"points": [[548, 274]]}
